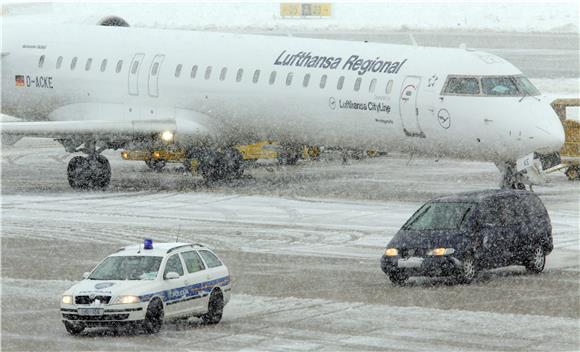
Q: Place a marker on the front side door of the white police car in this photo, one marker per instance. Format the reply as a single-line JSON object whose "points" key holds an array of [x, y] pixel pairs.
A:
{"points": [[175, 291]]}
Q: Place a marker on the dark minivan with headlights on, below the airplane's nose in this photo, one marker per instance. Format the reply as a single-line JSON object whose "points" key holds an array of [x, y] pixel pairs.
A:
{"points": [[461, 234]]}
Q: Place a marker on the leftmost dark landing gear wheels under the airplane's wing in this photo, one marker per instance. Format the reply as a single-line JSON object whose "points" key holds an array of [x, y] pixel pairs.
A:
{"points": [[89, 173]]}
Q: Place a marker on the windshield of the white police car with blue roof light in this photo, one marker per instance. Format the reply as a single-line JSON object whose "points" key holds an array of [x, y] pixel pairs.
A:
{"points": [[127, 268]]}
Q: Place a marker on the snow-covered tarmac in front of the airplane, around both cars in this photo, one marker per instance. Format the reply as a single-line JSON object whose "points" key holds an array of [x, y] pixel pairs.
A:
{"points": [[302, 244]]}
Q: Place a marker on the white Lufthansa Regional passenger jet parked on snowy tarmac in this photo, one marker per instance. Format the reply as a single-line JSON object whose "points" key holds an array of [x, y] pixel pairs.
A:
{"points": [[112, 86]]}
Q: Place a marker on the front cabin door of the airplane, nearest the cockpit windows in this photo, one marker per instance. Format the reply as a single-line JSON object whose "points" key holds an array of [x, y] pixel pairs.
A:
{"points": [[408, 107]]}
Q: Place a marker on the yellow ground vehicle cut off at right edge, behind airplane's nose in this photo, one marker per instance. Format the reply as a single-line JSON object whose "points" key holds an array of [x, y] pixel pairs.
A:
{"points": [[570, 152]]}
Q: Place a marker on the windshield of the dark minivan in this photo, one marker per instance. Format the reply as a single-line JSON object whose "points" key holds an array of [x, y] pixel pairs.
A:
{"points": [[440, 216]]}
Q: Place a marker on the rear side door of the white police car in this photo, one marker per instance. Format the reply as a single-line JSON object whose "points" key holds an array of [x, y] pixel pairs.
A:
{"points": [[195, 279]]}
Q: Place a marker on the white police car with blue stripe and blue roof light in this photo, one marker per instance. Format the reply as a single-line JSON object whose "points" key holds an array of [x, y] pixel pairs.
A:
{"points": [[142, 285]]}
